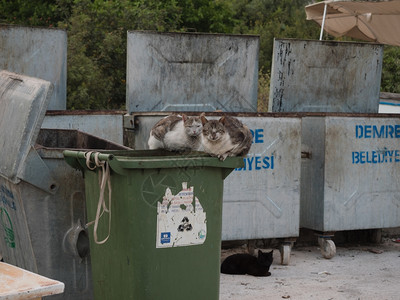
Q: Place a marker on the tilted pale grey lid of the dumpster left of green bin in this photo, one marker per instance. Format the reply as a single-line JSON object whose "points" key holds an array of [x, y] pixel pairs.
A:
{"points": [[23, 104]]}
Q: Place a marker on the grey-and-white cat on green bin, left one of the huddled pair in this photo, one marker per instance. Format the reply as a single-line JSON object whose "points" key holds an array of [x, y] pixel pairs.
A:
{"points": [[176, 133]]}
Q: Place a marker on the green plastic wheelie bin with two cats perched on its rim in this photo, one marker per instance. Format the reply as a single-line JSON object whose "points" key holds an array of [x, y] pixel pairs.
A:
{"points": [[158, 219]]}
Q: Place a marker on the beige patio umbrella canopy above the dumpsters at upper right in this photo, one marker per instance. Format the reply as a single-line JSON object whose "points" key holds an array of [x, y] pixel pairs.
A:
{"points": [[369, 21]]}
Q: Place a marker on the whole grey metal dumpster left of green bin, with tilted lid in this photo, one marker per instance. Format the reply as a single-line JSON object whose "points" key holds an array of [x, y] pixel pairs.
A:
{"points": [[42, 202]]}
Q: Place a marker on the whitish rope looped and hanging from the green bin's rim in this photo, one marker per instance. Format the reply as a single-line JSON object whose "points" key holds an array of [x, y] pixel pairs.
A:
{"points": [[104, 179]]}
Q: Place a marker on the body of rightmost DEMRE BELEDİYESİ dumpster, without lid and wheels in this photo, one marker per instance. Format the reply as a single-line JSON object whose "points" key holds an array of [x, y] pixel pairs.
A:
{"points": [[351, 179]]}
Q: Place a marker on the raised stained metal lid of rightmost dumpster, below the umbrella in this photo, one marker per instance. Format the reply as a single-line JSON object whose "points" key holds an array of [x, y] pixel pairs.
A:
{"points": [[325, 76]]}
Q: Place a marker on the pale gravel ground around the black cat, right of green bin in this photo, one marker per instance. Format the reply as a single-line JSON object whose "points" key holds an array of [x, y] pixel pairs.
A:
{"points": [[355, 272]]}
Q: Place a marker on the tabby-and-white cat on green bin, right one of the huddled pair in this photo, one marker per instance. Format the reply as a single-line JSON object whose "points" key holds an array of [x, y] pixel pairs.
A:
{"points": [[225, 137]]}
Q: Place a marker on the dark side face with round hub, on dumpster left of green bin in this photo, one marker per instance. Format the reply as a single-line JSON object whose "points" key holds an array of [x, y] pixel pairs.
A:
{"points": [[55, 223]]}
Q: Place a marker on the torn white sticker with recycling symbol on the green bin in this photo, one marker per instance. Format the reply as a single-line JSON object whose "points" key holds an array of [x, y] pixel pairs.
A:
{"points": [[180, 222]]}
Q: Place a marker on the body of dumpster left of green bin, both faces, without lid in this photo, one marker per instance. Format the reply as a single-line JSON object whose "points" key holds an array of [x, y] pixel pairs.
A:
{"points": [[46, 230]]}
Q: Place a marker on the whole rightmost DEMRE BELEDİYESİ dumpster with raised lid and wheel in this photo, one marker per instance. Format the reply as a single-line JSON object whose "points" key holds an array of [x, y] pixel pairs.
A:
{"points": [[349, 166]]}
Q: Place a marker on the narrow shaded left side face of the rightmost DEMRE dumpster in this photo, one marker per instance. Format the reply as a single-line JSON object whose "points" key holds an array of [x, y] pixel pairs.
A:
{"points": [[312, 173]]}
